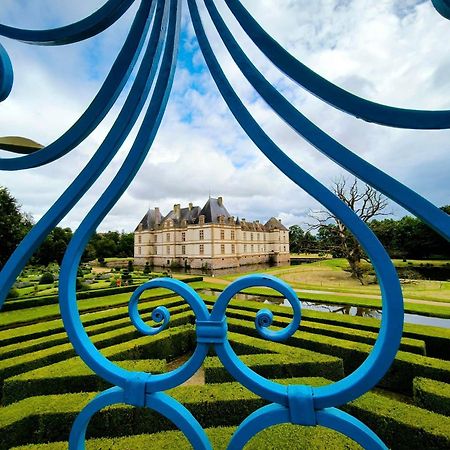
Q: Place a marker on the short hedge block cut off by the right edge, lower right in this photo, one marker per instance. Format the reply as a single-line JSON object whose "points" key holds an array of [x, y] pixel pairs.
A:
{"points": [[432, 395]]}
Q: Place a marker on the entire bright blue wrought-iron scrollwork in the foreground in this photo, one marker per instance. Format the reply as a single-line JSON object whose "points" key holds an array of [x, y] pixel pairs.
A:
{"points": [[155, 34]]}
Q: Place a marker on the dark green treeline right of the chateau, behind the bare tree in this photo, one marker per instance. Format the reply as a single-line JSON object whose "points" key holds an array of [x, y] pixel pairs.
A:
{"points": [[407, 237]]}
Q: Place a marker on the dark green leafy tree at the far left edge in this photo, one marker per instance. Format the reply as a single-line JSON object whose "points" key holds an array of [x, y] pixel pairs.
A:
{"points": [[14, 225]]}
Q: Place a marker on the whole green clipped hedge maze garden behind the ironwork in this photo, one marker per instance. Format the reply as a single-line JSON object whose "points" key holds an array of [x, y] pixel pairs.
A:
{"points": [[44, 384]]}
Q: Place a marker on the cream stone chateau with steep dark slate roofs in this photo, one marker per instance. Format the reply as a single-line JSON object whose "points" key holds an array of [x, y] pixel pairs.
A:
{"points": [[209, 238]]}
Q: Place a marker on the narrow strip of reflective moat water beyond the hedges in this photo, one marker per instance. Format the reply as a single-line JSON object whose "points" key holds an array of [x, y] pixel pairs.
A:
{"points": [[339, 309]]}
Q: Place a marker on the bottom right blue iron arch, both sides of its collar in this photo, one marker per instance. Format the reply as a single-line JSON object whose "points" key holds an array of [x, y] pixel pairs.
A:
{"points": [[333, 418]]}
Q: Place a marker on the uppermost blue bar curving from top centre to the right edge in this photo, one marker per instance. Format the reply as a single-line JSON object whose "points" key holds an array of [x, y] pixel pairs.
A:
{"points": [[329, 92]]}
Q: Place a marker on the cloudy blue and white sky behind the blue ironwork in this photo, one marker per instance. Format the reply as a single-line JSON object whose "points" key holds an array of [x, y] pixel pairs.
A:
{"points": [[390, 51]]}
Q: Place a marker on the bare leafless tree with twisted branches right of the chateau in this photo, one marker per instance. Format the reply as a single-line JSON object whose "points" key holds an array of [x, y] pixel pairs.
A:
{"points": [[367, 203]]}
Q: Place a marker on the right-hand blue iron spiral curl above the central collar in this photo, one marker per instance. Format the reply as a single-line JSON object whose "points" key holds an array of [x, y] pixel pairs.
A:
{"points": [[263, 319]]}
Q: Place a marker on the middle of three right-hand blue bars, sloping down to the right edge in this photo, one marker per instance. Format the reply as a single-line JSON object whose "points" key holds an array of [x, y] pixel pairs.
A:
{"points": [[404, 196]]}
